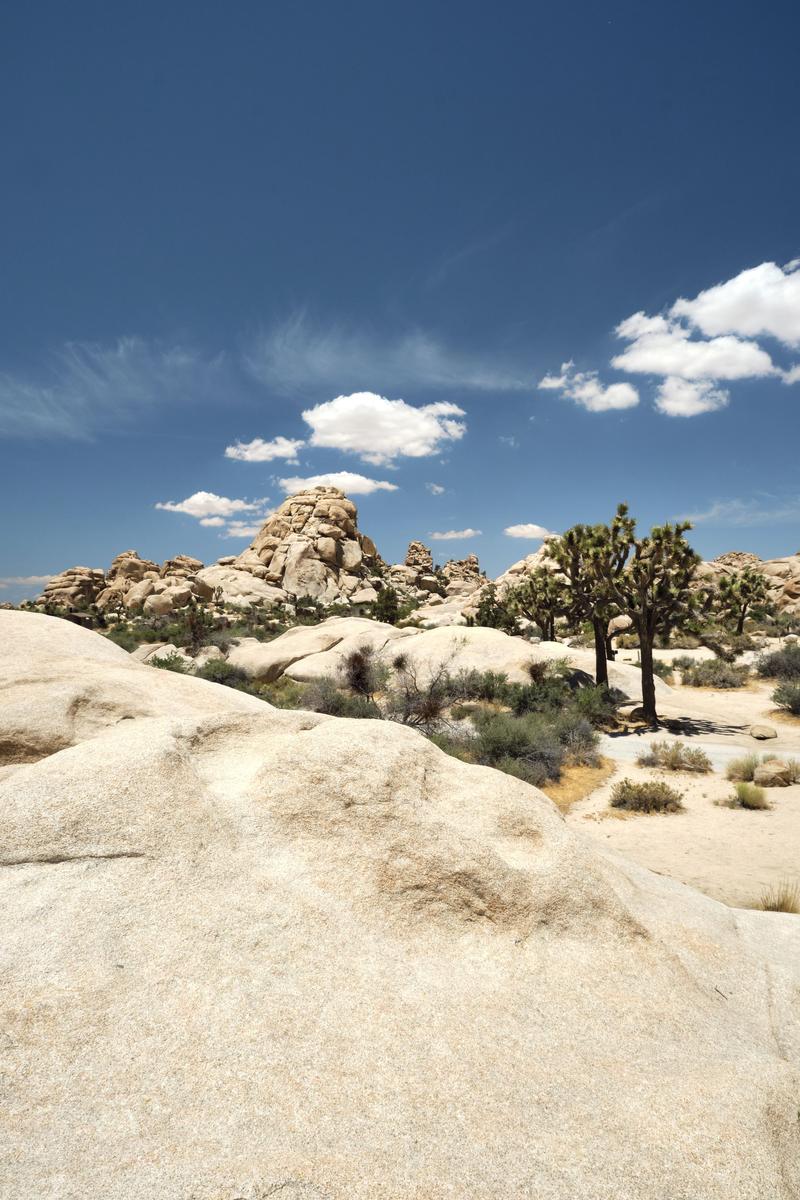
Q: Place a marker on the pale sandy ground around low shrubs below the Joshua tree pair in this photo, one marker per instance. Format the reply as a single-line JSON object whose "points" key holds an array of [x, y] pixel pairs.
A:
{"points": [[732, 855]]}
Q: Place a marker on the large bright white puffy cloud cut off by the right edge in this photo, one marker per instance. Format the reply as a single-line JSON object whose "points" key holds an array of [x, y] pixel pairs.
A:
{"points": [[761, 302]]}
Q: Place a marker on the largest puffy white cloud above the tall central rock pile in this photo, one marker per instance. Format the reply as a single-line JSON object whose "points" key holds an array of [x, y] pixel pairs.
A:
{"points": [[381, 430]]}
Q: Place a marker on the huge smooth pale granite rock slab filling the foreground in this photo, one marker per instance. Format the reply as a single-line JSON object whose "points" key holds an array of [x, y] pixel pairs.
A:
{"points": [[255, 953]]}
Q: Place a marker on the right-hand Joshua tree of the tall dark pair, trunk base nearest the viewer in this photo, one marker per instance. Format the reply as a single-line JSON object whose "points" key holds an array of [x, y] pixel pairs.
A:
{"points": [[654, 590]]}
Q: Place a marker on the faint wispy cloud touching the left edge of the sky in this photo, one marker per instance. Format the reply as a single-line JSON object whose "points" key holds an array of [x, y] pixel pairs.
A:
{"points": [[88, 388]]}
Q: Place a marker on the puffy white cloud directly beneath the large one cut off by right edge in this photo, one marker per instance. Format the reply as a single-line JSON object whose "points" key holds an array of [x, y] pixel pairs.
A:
{"points": [[663, 347]]}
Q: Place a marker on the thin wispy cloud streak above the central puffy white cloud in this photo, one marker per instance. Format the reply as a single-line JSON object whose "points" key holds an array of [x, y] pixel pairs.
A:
{"points": [[300, 357]]}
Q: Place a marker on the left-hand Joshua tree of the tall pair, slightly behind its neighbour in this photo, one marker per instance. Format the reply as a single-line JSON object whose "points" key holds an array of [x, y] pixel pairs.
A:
{"points": [[592, 559]]}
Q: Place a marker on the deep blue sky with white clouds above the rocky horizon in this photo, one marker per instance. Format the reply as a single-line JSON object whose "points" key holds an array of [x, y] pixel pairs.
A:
{"points": [[216, 219]]}
